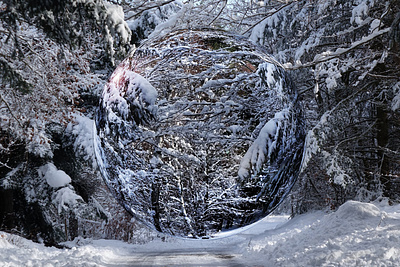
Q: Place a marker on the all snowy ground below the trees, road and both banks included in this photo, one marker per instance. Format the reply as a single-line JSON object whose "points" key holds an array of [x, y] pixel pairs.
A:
{"points": [[357, 234]]}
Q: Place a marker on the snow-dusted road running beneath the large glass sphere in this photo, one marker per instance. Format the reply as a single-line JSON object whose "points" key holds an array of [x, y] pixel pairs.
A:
{"points": [[226, 249]]}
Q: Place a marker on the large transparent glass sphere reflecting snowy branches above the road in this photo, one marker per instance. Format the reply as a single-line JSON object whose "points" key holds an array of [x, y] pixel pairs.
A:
{"points": [[176, 120]]}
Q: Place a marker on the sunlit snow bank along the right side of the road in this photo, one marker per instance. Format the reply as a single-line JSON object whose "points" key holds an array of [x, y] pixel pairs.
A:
{"points": [[357, 234]]}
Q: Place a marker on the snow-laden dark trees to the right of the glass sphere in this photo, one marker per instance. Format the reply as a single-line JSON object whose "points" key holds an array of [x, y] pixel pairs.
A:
{"points": [[344, 57]]}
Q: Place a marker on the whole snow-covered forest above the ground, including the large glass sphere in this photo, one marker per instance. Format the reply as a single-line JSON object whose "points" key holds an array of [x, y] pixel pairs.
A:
{"points": [[193, 116]]}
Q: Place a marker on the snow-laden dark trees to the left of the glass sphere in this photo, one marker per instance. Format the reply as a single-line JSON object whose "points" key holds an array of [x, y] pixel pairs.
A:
{"points": [[50, 55]]}
